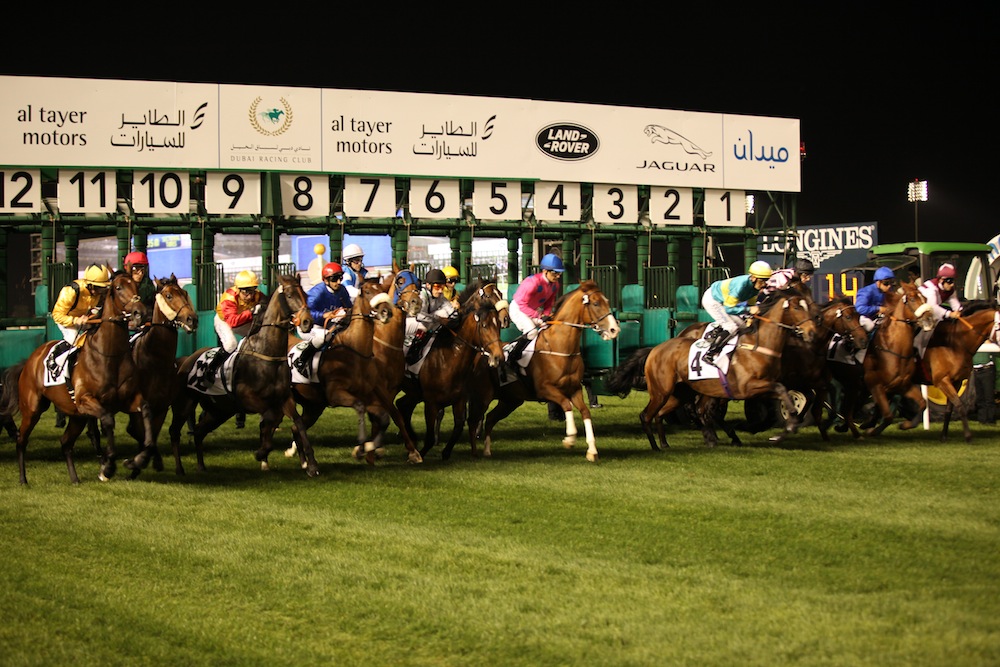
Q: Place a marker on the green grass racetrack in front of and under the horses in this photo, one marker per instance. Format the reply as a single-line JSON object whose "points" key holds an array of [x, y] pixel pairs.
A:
{"points": [[883, 552]]}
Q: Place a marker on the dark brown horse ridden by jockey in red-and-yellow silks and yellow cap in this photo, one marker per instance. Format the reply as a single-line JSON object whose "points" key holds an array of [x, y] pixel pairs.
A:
{"points": [[261, 381]]}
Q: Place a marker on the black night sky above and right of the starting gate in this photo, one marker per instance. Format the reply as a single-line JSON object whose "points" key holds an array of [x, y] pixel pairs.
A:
{"points": [[882, 100]]}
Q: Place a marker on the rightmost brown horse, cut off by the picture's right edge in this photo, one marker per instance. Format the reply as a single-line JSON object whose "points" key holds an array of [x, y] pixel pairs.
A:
{"points": [[947, 361]]}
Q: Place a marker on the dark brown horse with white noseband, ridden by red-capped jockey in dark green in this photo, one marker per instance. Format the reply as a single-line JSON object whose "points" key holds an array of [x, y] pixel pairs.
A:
{"points": [[154, 352]]}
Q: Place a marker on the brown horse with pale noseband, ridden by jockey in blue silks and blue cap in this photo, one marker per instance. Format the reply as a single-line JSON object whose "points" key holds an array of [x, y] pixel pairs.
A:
{"points": [[891, 360]]}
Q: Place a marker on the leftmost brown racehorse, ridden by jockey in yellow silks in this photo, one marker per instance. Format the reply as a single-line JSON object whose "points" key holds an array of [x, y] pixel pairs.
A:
{"points": [[103, 381]]}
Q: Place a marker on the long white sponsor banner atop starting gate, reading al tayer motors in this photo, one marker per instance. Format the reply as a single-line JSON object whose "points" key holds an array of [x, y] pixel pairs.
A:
{"points": [[86, 123]]}
